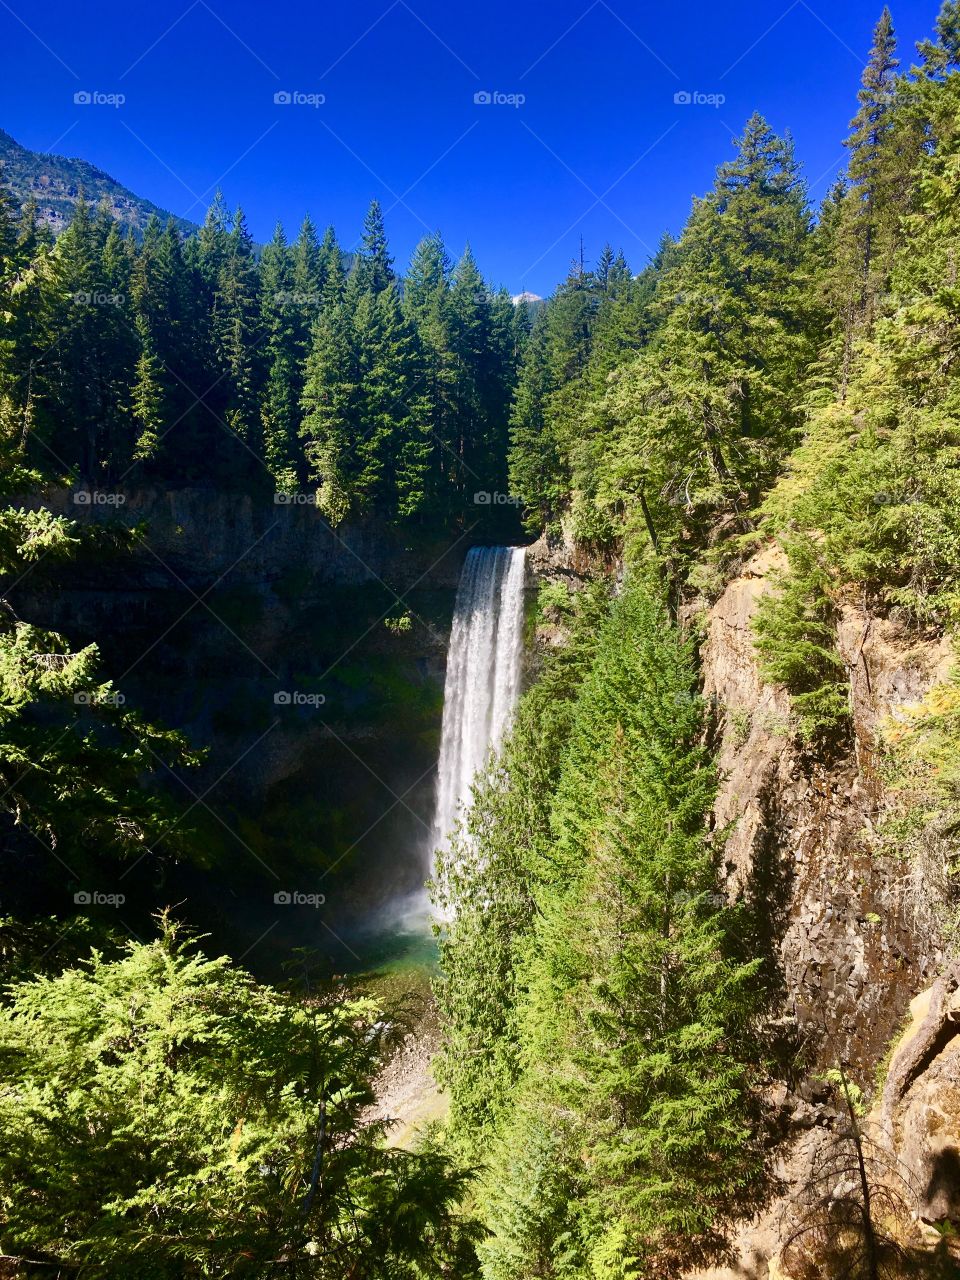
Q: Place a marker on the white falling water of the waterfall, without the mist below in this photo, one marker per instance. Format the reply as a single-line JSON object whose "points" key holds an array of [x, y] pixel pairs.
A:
{"points": [[483, 675]]}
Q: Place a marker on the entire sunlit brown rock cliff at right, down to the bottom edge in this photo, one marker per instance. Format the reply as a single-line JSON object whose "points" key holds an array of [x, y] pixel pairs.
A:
{"points": [[851, 935]]}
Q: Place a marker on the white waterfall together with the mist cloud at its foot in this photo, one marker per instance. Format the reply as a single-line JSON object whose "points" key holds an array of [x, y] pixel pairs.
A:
{"points": [[482, 687]]}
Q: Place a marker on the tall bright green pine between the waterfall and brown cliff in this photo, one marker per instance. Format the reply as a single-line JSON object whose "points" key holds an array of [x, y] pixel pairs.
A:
{"points": [[636, 1022]]}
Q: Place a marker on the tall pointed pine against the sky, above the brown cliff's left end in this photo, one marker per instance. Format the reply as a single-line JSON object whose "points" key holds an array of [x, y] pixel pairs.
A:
{"points": [[708, 412]]}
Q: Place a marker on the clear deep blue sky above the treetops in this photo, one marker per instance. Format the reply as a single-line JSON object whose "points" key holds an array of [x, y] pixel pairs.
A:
{"points": [[600, 148]]}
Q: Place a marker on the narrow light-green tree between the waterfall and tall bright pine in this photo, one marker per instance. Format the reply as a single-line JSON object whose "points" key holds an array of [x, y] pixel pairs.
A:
{"points": [[486, 892]]}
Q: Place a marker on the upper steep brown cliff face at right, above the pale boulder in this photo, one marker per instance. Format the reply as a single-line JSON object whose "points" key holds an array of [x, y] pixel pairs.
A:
{"points": [[847, 929]]}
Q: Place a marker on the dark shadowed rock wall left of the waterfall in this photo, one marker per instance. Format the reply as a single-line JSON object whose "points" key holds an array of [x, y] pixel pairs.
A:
{"points": [[307, 661]]}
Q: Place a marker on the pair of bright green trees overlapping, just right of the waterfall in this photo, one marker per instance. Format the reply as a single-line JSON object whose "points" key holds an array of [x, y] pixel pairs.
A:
{"points": [[597, 1020]]}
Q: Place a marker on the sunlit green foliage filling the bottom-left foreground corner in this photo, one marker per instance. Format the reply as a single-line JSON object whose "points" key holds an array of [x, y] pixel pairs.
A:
{"points": [[164, 1116]]}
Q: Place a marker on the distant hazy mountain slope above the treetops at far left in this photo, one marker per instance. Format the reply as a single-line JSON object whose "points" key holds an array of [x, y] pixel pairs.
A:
{"points": [[56, 184]]}
